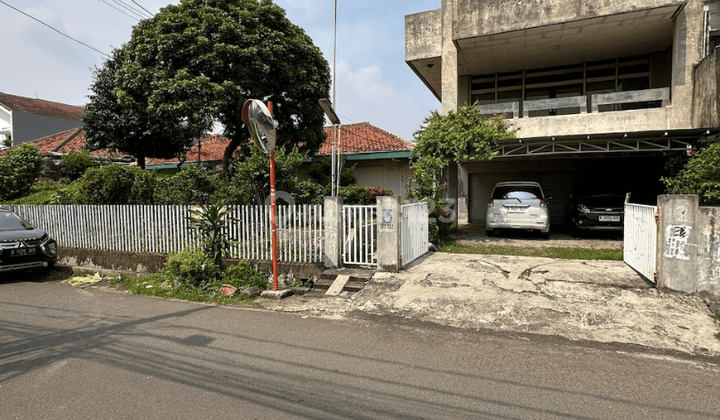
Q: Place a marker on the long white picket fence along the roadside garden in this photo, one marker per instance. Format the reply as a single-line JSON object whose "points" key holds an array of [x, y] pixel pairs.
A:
{"points": [[165, 229]]}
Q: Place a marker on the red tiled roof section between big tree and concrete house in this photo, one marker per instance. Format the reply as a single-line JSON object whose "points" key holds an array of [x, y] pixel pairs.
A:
{"points": [[363, 138]]}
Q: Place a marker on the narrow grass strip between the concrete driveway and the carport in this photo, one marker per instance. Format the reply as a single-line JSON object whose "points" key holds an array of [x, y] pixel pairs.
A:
{"points": [[453, 247]]}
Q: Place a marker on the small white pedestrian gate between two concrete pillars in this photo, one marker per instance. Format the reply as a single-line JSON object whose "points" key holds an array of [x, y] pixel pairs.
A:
{"points": [[359, 235]]}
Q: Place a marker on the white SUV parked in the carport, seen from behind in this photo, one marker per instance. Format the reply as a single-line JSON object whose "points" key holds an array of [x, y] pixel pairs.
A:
{"points": [[518, 205]]}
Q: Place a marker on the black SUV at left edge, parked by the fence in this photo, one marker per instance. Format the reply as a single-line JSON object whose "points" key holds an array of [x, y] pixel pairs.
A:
{"points": [[23, 247]]}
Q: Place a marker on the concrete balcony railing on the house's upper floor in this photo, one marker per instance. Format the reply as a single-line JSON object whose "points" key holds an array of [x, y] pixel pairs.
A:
{"points": [[661, 95]]}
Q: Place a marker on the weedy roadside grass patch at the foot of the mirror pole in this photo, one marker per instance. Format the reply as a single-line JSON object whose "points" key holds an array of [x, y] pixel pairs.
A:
{"points": [[152, 286]]}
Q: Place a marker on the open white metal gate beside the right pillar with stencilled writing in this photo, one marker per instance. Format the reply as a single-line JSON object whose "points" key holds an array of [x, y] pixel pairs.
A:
{"points": [[639, 249]]}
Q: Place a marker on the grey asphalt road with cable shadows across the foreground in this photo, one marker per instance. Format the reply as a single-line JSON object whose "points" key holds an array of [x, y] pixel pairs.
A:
{"points": [[69, 353]]}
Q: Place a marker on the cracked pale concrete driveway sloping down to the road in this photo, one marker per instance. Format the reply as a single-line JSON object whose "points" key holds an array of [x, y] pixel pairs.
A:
{"points": [[600, 301]]}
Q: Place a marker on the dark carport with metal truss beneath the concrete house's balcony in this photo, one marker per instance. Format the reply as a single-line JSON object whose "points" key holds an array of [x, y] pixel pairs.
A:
{"points": [[632, 162]]}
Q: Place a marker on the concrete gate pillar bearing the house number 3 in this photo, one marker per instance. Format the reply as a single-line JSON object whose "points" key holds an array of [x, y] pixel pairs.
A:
{"points": [[389, 234]]}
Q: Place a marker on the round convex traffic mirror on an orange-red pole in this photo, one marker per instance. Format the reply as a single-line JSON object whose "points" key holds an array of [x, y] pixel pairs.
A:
{"points": [[262, 126]]}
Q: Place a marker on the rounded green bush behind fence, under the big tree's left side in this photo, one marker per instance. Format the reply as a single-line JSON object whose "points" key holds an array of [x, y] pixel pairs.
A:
{"points": [[113, 184]]}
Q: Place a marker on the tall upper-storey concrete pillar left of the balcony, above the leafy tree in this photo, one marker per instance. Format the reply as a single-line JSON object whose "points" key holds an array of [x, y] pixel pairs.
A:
{"points": [[449, 60]]}
